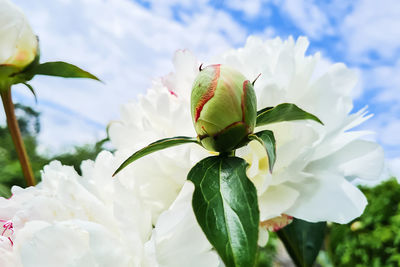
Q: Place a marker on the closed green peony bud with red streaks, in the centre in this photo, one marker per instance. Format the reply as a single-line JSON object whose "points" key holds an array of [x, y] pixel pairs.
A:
{"points": [[223, 107]]}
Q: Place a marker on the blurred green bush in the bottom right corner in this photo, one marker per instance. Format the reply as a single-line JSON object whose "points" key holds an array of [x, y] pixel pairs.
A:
{"points": [[374, 238]]}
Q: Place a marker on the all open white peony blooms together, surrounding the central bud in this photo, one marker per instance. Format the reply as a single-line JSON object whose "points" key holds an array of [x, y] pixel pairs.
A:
{"points": [[143, 216]]}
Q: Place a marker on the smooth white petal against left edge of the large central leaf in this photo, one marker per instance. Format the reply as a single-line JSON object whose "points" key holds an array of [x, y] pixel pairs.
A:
{"points": [[177, 239]]}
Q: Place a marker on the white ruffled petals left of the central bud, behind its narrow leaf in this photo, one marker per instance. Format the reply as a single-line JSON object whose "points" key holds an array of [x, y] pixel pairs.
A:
{"points": [[163, 112]]}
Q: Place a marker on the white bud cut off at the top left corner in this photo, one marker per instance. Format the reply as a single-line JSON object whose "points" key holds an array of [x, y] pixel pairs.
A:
{"points": [[18, 43]]}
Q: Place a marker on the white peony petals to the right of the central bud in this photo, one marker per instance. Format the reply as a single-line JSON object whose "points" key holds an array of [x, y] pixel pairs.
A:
{"points": [[315, 163]]}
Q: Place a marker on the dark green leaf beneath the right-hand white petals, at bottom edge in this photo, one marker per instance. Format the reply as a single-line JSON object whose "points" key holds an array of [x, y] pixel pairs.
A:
{"points": [[303, 240]]}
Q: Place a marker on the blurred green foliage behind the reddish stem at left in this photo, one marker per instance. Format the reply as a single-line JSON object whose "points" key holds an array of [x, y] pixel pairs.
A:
{"points": [[29, 123]]}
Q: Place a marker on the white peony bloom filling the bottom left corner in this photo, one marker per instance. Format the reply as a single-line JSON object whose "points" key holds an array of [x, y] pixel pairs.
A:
{"points": [[95, 220]]}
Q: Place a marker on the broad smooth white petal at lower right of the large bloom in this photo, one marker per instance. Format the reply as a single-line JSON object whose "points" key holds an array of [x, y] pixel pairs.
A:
{"points": [[328, 197]]}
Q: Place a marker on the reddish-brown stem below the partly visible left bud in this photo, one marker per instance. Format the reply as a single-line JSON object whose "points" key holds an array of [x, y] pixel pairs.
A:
{"points": [[16, 137]]}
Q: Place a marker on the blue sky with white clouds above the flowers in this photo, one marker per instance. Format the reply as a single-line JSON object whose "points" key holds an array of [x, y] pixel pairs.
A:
{"points": [[127, 43]]}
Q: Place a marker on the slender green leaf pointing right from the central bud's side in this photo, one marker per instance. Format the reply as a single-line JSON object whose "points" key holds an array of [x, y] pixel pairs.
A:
{"points": [[283, 112]]}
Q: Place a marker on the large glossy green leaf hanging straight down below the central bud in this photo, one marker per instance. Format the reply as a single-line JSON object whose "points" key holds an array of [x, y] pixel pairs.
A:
{"points": [[226, 207]]}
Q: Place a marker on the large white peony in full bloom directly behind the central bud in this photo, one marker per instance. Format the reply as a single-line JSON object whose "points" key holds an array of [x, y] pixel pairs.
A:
{"points": [[315, 164]]}
